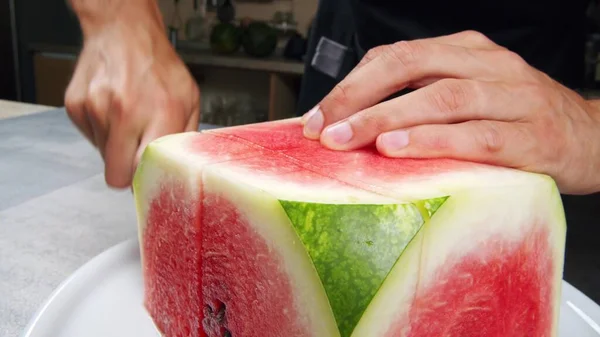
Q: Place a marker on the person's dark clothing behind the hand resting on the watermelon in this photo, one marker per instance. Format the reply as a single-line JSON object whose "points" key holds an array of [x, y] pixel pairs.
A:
{"points": [[549, 34]]}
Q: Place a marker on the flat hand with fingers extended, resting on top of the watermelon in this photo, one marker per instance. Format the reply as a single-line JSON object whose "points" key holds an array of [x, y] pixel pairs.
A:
{"points": [[474, 100]]}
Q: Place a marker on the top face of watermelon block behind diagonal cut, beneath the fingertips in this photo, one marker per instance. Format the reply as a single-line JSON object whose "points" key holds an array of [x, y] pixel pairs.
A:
{"points": [[365, 168]]}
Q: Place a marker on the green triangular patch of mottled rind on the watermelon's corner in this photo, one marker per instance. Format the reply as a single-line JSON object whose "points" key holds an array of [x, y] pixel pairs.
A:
{"points": [[389, 225]]}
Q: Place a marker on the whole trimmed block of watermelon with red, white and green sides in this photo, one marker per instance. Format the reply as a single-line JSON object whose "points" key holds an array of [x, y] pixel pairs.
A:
{"points": [[254, 230]]}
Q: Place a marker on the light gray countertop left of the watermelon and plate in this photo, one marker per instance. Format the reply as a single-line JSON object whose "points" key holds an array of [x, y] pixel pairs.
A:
{"points": [[56, 212]]}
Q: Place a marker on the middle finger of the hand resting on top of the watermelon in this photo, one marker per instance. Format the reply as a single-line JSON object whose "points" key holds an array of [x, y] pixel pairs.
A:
{"points": [[446, 101]]}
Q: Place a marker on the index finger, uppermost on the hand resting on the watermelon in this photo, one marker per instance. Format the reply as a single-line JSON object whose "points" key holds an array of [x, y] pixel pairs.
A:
{"points": [[402, 64]]}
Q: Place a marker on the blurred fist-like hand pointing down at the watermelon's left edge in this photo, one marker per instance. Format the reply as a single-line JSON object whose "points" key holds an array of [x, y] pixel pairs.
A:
{"points": [[129, 88]]}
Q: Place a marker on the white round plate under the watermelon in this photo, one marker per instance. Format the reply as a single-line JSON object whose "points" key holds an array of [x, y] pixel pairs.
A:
{"points": [[104, 299]]}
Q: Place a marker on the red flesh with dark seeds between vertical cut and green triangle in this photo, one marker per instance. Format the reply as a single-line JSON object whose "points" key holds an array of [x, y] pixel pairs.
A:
{"points": [[251, 295]]}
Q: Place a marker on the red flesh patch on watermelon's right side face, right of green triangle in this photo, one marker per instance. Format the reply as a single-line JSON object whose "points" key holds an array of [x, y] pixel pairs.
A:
{"points": [[459, 302]]}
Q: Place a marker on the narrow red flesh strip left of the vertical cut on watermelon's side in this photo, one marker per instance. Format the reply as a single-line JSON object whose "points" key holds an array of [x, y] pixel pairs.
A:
{"points": [[173, 314]]}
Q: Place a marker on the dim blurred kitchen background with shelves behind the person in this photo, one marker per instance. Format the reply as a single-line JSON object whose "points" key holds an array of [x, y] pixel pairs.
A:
{"points": [[40, 39]]}
